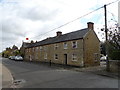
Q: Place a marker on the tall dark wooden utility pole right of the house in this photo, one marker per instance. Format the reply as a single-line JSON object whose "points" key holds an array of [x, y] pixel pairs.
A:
{"points": [[106, 36]]}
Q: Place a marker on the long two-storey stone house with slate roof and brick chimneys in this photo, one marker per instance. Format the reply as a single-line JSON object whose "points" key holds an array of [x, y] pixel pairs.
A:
{"points": [[78, 48]]}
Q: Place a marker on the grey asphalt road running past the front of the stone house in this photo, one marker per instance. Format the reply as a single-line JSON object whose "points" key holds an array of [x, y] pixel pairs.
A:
{"points": [[31, 75]]}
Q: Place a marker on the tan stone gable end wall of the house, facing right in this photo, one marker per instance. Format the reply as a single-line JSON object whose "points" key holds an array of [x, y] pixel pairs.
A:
{"points": [[91, 49]]}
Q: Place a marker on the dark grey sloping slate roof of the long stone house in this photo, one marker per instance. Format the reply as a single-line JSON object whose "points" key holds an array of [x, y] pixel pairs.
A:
{"points": [[79, 34]]}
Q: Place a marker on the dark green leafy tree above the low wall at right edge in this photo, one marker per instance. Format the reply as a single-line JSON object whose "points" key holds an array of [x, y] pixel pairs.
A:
{"points": [[114, 44]]}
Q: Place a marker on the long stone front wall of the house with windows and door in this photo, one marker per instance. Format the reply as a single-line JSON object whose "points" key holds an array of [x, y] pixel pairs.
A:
{"points": [[39, 54]]}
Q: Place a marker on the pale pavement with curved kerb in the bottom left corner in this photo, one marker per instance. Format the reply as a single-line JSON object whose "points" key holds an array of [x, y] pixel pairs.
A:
{"points": [[6, 76]]}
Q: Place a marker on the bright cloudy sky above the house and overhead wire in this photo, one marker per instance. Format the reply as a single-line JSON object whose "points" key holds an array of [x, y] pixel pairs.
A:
{"points": [[21, 19]]}
